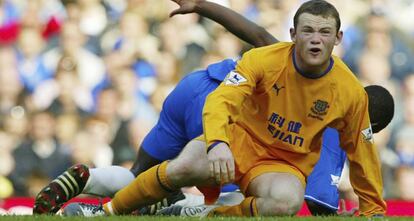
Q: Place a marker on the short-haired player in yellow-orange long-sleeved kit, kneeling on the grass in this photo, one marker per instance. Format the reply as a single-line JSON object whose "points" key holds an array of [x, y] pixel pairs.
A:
{"points": [[263, 127]]}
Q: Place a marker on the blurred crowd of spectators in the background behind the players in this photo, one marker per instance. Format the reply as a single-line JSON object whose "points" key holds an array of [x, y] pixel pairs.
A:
{"points": [[84, 80]]}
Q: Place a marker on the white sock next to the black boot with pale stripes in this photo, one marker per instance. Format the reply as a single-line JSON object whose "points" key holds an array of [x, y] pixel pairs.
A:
{"points": [[106, 181]]}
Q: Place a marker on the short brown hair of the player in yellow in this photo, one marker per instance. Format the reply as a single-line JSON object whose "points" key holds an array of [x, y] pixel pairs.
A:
{"points": [[319, 8]]}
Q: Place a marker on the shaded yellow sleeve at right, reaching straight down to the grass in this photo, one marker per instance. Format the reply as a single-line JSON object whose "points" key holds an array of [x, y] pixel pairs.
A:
{"points": [[364, 163]]}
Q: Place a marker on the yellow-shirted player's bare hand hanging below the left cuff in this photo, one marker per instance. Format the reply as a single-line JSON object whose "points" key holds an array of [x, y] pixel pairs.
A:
{"points": [[221, 164]]}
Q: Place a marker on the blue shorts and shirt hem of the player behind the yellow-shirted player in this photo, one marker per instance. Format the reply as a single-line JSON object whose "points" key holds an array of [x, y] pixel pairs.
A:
{"points": [[181, 115]]}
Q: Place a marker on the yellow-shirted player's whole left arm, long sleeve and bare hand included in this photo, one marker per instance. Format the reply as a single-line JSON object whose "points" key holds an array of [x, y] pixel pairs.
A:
{"points": [[221, 109]]}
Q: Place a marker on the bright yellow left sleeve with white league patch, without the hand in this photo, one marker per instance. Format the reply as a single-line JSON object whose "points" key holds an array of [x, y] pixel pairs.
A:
{"points": [[223, 105]]}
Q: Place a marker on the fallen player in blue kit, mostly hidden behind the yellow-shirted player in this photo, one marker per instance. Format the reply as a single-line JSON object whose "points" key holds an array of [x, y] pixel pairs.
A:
{"points": [[181, 121]]}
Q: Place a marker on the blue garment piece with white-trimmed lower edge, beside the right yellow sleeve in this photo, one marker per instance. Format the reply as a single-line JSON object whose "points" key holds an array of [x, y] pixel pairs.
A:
{"points": [[322, 183]]}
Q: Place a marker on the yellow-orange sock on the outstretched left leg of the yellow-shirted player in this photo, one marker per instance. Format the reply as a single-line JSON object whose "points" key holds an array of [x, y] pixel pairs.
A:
{"points": [[149, 187]]}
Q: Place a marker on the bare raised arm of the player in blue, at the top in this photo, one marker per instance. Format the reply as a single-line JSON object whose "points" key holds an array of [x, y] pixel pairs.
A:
{"points": [[229, 19]]}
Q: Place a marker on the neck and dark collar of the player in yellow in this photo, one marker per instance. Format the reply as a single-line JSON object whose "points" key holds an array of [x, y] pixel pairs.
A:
{"points": [[308, 71]]}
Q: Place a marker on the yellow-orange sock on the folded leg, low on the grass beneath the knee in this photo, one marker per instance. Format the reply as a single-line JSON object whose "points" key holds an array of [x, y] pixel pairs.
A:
{"points": [[246, 208]]}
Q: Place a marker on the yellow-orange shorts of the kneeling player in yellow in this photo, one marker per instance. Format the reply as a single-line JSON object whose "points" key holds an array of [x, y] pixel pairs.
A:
{"points": [[252, 160]]}
